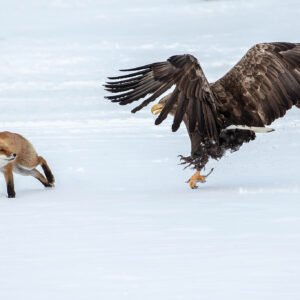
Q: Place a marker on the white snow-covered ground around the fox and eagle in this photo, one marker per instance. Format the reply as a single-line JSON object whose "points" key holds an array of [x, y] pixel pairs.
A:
{"points": [[121, 223]]}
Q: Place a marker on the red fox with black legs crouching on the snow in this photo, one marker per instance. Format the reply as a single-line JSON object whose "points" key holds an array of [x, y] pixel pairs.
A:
{"points": [[18, 155]]}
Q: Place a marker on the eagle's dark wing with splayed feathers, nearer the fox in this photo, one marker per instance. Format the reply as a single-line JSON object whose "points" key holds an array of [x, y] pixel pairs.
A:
{"points": [[192, 93]]}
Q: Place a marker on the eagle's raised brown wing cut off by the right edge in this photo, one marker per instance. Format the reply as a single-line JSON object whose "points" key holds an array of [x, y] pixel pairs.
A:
{"points": [[262, 86]]}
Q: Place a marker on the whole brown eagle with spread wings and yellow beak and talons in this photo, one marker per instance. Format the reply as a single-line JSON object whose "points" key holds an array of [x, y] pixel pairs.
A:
{"points": [[222, 115]]}
